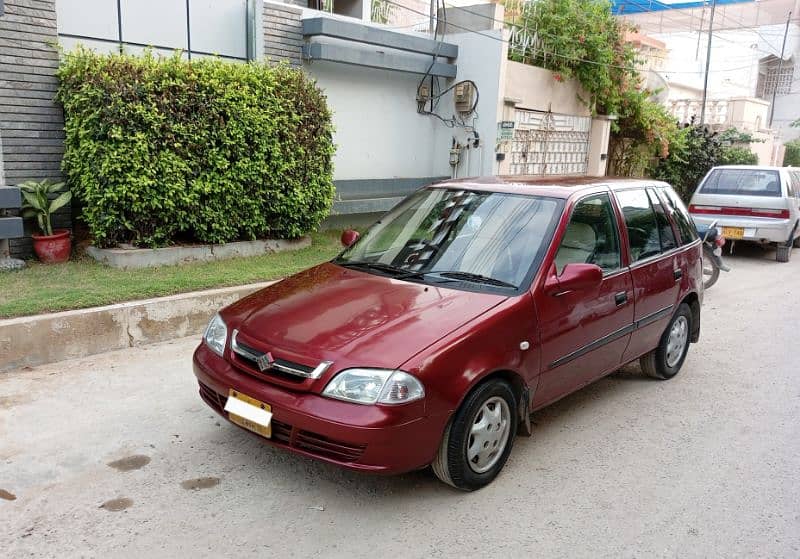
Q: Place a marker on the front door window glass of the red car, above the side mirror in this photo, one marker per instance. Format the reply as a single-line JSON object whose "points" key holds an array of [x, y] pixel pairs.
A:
{"points": [[591, 236]]}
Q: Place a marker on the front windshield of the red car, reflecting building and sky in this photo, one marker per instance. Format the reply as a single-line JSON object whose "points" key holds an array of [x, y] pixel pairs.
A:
{"points": [[442, 235]]}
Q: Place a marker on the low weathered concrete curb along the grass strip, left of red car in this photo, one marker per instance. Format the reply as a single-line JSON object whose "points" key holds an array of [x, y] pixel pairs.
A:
{"points": [[46, 338]]}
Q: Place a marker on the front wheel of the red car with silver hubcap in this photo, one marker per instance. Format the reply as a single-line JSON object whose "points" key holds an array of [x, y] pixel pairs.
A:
{"points": [[453, 464]]}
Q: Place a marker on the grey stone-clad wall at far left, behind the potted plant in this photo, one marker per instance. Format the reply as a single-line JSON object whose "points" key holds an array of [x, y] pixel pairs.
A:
{"points": [[31, 123]]}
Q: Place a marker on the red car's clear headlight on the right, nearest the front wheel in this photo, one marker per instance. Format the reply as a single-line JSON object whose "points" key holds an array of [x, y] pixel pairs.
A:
{"points": [[370, 386]]}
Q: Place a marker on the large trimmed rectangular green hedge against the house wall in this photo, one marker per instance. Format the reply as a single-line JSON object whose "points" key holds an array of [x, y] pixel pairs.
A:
{"points": [[164, 149]]}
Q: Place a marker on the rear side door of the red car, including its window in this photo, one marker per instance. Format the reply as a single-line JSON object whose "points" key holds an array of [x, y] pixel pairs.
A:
{"points": [[655, 264]]}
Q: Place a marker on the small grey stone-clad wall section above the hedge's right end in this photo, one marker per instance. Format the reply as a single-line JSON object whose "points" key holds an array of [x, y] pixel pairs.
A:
{"points": [[283, 33]]}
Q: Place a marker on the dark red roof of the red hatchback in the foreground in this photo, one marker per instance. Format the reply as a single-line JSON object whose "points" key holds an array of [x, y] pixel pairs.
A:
{"points": [[551, 186]]}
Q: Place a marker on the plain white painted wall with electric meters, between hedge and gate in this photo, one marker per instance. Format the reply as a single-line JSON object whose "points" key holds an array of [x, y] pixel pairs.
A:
{"points": [[380, 134]]}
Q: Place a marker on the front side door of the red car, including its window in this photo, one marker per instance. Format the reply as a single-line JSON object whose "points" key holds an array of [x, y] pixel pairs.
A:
{"points": [[584, 333]]}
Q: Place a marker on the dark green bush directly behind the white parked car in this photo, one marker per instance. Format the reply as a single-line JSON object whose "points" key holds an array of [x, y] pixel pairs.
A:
{"points": [[693, 152]]}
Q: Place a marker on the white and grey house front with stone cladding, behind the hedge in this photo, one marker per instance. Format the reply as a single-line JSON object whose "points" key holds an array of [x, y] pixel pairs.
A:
{"points": [[416, 96]]}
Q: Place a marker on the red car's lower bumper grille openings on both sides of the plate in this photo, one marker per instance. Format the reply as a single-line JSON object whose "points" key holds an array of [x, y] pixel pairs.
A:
{"points": [[286, 435]]}
